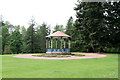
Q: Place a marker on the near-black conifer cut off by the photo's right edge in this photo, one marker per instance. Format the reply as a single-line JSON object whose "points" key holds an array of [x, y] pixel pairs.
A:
{"points": [[112, 20]]}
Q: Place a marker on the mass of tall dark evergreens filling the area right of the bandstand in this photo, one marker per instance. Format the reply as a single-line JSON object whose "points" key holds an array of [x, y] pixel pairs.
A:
{"points": [[97, 26]]}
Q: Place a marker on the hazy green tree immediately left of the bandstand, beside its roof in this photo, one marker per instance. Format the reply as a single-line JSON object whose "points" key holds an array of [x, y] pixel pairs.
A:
{"points": [[40, 39]]}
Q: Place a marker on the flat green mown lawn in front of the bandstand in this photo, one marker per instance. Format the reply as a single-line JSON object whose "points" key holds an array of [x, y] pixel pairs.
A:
{"points": [[78, 68]]}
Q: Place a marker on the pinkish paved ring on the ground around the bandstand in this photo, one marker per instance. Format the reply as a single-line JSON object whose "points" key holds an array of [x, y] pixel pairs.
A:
{"points": [[87, 56]]}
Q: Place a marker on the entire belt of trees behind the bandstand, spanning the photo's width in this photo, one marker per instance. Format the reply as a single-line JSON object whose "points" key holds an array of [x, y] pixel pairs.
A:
{"points": [[96, 29]]}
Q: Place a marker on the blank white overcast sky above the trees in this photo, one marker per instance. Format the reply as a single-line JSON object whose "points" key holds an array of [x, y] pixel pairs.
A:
{"points": [[52, 12]]}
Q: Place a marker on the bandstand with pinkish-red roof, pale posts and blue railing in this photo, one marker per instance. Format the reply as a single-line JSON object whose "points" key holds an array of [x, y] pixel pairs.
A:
{"points": [[58, 43]]}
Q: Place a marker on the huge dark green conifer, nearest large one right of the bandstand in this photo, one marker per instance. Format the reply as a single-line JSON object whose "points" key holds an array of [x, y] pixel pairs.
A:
{"points": [[90, 24]]}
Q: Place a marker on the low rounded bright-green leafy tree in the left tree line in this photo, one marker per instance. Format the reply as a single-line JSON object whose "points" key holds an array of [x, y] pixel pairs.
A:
{"points": [[15, 42]]}
